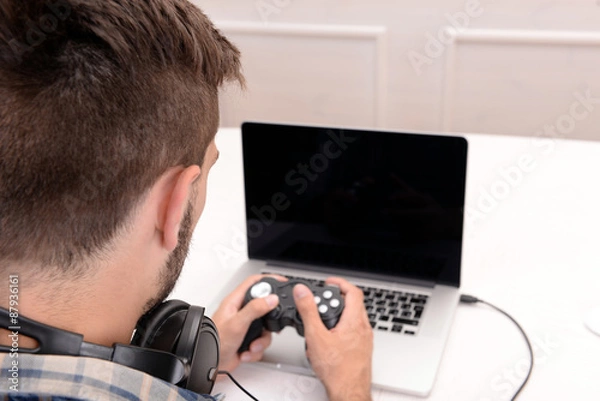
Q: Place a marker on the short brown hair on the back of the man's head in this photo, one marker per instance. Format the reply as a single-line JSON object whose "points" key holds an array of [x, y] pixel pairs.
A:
{"points": [[98, 98]]}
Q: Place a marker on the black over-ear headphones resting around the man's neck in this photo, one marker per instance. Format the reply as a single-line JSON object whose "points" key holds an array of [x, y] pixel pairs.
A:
{"points": [[174, 342]]}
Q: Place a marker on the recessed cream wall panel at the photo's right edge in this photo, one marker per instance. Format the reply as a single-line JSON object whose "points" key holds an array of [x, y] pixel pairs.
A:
{"points": [[523, 83]]}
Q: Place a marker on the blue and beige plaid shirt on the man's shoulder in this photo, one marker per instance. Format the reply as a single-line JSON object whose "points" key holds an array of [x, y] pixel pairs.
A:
{"points": [[52, 377]]}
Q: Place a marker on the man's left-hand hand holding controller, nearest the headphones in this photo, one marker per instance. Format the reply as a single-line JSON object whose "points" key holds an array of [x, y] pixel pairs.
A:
{"points": [[233, 322]]}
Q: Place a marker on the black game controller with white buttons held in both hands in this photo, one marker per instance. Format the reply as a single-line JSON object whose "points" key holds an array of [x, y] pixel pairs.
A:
{"points": [[329, 300]]}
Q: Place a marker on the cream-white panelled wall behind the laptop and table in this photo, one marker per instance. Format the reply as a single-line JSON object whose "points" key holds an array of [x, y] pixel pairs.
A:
{"points": [[515, 67]]}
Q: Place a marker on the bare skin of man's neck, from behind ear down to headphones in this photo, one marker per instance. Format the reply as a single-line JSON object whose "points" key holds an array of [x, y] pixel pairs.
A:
{"points": [[104, 301]]}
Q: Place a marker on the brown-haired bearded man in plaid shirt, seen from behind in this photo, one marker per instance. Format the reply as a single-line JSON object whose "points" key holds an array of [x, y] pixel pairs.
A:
{"points": [[108, 112]]}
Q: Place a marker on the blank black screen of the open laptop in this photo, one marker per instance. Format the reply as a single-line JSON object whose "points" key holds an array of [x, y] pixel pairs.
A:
{"points": [[375, 203]]}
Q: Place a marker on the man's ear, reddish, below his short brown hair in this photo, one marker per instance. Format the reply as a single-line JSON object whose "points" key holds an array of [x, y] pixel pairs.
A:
{"points": [[177, 199]]}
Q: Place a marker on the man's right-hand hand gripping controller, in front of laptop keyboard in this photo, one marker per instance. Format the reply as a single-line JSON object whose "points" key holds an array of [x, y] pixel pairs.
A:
{"points": [[341, 357]]}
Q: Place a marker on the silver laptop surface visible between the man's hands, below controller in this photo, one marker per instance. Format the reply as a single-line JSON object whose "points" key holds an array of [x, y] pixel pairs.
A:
{"points": [[288, 352]]}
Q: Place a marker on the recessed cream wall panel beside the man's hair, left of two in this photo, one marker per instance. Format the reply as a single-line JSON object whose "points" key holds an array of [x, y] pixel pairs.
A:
{"points": [[309, 74]]}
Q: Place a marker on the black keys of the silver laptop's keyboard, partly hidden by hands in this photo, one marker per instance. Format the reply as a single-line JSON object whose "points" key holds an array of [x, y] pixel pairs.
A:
{"points": [[388, 310]]}
